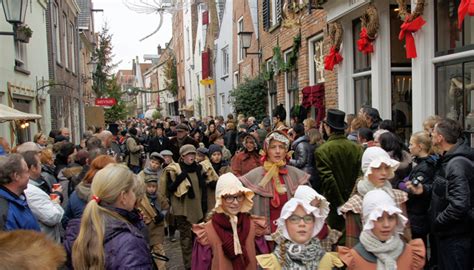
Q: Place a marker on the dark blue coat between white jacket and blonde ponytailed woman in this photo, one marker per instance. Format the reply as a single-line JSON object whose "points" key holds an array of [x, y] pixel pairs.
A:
{"points": [[77, 202]]}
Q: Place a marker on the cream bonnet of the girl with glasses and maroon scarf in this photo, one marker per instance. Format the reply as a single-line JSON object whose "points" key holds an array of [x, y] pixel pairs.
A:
{"points": [[229, 184]]}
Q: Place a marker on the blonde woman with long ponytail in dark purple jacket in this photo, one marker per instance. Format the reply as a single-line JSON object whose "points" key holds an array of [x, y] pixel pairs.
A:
{"points": [[110, 236]]}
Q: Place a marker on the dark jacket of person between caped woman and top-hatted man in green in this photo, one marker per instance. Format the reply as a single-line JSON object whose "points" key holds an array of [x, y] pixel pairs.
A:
{"points": [[303, 157]]}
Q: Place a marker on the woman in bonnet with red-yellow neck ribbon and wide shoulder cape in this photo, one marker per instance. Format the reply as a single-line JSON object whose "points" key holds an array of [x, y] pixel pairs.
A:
{"points": [[275, 182]]}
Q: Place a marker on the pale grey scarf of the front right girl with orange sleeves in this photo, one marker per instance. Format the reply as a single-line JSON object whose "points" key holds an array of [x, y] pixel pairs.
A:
{"points": [[387, 252]]}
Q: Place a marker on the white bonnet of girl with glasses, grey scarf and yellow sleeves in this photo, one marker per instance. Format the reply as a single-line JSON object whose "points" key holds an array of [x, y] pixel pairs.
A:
{"points": [[290, 207]]}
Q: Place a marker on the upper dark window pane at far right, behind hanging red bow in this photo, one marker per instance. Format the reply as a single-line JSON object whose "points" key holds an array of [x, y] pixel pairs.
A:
{"points": [[449, 38]]}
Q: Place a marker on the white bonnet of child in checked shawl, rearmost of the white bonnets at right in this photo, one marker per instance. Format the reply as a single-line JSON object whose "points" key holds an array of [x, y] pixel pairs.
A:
{"points": [[373, 157]]}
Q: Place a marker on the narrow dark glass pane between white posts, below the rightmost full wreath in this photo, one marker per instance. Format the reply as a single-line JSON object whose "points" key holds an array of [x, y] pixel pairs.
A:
{"points": [[402, 104]]}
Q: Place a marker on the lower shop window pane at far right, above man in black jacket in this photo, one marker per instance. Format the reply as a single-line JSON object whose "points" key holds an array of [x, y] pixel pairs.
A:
{"points": [[454, 92]]}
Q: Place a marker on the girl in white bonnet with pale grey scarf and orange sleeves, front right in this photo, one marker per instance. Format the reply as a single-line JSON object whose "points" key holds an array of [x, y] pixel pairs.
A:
{"points": [[381, 246]]}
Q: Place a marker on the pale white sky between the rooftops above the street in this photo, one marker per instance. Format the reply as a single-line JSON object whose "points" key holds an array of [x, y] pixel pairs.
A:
{"points": [[127, 28]]}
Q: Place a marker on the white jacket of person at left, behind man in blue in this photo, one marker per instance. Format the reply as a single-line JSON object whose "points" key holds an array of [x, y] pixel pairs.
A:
{"points": [[47, 212]]}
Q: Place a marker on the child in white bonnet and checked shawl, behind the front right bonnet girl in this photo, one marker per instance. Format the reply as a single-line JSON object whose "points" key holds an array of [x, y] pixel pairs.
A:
{"points": [[378, 169]]}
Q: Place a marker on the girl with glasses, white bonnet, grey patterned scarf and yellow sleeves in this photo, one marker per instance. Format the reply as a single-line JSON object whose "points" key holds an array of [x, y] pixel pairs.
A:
{"points": [[297, 245]]}
